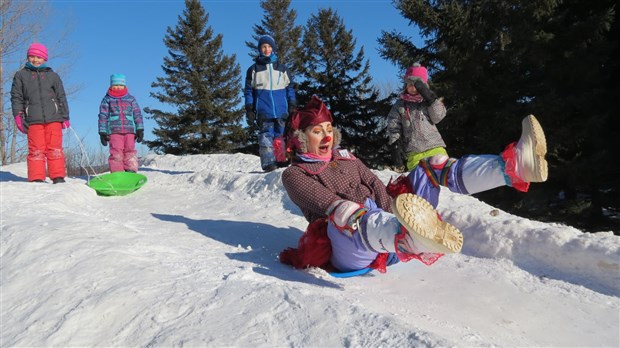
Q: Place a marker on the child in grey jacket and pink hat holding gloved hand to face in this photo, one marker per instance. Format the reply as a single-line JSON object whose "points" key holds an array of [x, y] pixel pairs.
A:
{"points": [[412, 129]]}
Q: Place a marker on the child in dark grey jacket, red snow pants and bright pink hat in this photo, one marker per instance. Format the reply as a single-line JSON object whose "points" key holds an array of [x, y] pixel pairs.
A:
{"points": [[40, 110]]}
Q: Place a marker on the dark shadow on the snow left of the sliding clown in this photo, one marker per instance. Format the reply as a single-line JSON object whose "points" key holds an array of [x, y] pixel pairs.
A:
{"points": [[262, 243]]}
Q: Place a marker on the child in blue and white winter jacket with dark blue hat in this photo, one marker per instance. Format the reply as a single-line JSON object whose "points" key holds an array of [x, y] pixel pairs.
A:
{"points": [[269, 96]]}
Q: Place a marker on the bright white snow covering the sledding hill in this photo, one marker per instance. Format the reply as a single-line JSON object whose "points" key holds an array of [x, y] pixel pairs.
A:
{"points": [[191, 260]]}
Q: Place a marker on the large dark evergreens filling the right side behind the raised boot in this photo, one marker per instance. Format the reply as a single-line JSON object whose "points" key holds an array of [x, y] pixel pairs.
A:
{"points": [[496, 62]]}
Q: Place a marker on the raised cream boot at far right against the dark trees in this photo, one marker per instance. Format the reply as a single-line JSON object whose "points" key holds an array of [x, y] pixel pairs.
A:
{"points": [[530, 163]]}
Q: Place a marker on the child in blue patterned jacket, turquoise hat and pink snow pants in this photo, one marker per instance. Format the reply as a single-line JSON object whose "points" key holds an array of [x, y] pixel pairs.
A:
{"points": [[120, 125]]}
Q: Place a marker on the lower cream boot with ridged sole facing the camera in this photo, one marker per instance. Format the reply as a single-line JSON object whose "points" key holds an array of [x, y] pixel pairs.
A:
{"points": [[426, 233]]}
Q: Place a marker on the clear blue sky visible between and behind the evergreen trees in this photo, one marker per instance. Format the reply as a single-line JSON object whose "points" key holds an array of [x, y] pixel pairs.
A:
{"points": [[127, 37]]}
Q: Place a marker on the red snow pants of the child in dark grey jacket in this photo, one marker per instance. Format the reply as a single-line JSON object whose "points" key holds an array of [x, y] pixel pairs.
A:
{"points": [[45, 144]]}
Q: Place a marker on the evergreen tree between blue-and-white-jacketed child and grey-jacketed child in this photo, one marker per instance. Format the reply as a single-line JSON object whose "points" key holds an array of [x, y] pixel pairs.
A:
{"points": [[340, 77]]}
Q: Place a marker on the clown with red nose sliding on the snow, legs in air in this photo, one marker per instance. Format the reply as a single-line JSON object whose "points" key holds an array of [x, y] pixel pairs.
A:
{"points": [[355, 223]]}
